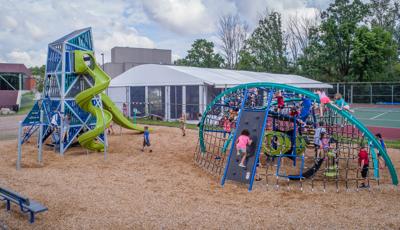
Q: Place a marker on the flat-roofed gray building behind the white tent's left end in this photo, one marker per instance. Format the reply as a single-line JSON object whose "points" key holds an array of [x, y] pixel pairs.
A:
{"points": [[124, 58]]}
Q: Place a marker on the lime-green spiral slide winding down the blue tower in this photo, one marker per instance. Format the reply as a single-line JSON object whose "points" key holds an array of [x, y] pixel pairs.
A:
{"points": [[85, 63]]}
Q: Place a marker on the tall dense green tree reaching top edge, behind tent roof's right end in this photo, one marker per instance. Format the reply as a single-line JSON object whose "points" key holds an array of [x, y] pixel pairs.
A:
{"points": [[332, 43]]}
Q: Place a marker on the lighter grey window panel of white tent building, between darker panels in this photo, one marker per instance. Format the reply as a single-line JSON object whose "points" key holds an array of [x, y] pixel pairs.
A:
{"points": [[157, 100]]}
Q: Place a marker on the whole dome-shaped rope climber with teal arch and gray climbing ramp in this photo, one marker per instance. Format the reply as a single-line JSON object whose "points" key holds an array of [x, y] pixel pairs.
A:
{"points": [[283, 144]]}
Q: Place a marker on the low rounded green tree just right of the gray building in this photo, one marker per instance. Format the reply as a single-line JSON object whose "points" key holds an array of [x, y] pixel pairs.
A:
{"points": [[202, 55]]}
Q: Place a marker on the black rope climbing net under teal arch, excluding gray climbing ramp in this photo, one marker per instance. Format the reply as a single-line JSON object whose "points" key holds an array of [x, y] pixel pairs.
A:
{"points": [[302, 144]]}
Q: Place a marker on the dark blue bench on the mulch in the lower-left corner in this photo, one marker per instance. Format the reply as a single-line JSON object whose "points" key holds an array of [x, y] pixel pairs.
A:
{"points": [[26, 205]]}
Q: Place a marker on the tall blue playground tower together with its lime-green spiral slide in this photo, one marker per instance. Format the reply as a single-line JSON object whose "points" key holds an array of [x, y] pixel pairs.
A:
{"points": [[72, 105]]}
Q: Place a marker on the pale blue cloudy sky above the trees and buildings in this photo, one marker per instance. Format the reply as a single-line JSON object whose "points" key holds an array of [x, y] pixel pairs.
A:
{"points": [[28, 26]]}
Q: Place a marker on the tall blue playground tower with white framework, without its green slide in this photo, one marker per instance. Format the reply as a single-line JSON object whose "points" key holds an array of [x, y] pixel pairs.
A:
{"points": [[61, 85]]}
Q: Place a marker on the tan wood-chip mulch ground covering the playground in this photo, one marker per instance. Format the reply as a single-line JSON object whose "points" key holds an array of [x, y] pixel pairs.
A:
{"points": [[166, 190]]}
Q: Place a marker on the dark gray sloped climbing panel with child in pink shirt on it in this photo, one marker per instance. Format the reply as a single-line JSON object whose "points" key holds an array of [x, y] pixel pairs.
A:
{"points": [[252, 121]]}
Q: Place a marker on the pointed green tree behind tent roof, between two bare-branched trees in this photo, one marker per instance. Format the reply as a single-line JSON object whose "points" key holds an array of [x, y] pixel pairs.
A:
{"points": [[267, 46]]}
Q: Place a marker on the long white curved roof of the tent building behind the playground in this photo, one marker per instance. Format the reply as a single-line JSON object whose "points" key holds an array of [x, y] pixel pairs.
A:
{"points": [[161, 75]]}
